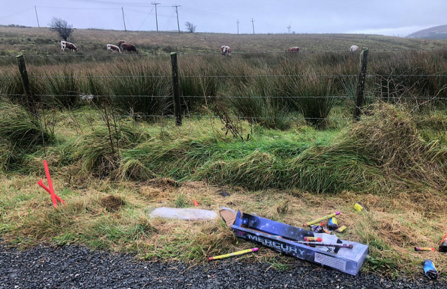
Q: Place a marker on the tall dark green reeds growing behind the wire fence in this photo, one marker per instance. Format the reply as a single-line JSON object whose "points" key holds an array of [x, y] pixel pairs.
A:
{"points": [[270, 90]]}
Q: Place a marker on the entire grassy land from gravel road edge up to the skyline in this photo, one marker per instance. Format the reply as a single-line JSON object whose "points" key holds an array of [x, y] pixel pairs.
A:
{"points": [[246, 134]]}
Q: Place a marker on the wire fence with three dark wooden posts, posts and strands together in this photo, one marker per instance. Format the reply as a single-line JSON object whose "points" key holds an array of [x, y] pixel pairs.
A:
{"points": [[359, 98]]}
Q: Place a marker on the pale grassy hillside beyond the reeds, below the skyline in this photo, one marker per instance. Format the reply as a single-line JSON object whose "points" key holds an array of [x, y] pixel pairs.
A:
{"points": [[42, 40]]}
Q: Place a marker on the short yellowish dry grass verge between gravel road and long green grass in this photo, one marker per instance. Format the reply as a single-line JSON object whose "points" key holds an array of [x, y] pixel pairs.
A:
{"points": [[395, 224]]}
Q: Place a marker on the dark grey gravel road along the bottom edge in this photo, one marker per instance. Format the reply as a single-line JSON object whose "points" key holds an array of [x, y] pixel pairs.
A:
{"points": [[78, 267]]}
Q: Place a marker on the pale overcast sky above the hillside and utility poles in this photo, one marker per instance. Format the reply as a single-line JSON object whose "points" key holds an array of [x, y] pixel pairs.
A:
{"points": [[388, 17]]}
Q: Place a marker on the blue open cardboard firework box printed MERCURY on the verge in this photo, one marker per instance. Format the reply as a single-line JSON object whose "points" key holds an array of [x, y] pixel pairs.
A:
{"points": [[282, 238]]}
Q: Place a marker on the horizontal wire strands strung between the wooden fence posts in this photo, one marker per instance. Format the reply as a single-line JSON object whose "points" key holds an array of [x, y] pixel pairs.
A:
{"points": [[220, 96]]}
